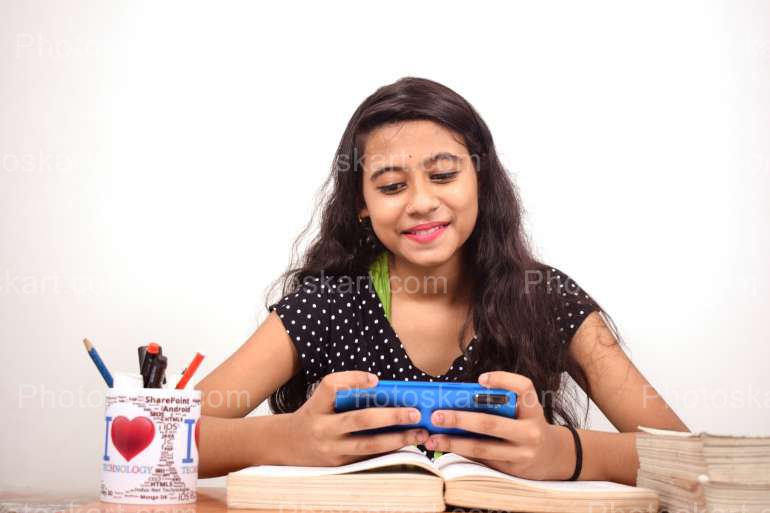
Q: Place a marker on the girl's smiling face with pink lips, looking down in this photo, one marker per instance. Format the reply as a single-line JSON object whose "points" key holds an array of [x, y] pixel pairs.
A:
{"points": [[415, 173]]}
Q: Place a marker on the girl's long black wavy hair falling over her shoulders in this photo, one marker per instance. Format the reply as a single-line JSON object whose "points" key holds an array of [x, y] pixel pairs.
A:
{"points": [[514, 320]]}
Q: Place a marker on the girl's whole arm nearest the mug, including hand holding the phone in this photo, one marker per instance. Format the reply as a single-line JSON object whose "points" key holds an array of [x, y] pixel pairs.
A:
{"points": [[313, 435]]}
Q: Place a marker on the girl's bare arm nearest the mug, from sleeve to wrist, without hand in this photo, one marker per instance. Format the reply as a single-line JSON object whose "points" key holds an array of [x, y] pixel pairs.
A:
{"points": [[241, 383]]}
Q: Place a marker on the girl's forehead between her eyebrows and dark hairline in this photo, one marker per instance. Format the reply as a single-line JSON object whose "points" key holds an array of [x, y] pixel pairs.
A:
{"points": [[410, 141]]}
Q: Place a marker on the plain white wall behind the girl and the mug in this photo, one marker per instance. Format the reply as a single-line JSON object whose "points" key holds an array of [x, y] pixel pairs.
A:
{"points": [[158, 160]]}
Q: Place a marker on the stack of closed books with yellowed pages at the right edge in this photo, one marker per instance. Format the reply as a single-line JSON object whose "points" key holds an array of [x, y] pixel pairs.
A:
{"points": [[705, 473]]}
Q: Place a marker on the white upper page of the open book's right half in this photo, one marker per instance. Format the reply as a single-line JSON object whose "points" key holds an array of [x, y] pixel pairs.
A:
{"points": [[454, 466]]}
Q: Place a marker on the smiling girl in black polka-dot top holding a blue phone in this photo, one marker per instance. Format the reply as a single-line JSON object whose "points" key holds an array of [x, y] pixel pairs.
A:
{"points": [[422, 271]]}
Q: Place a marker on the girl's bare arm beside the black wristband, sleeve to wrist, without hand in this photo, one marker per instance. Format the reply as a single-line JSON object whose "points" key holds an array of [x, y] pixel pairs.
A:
{"points": [[624, 396]]}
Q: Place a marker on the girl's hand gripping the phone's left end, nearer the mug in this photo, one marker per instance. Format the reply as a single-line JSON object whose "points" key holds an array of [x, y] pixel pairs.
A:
{"points": [[320, 437]]}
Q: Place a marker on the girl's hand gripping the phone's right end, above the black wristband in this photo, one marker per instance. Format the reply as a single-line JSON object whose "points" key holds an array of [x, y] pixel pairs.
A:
{"points": [[531, 447]]}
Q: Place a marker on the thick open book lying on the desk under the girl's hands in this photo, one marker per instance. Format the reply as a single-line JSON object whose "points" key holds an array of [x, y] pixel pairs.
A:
{"points": [[407, 480]]}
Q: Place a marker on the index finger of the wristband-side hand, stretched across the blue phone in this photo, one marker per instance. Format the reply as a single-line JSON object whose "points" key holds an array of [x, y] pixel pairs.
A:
{"points": [[513, 430]]}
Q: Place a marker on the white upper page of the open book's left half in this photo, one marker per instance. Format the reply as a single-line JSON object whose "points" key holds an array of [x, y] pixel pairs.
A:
{"points": [[407, 455]]}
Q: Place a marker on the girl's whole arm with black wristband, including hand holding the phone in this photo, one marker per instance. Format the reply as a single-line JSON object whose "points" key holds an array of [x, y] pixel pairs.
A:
{"points": [[530, 447]]}
